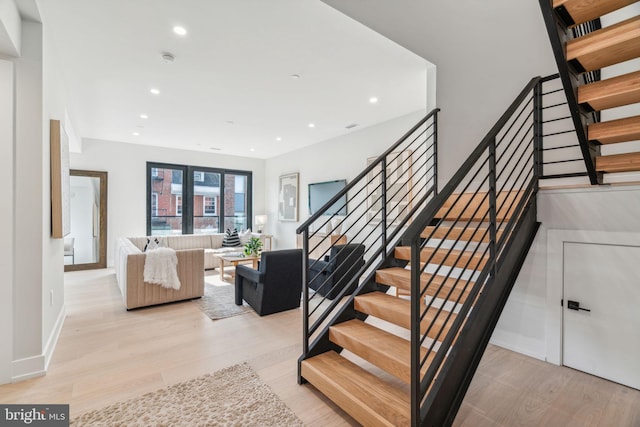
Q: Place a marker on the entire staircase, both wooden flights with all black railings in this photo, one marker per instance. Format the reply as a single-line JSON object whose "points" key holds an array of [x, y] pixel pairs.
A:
{"points": [[453, 254]]}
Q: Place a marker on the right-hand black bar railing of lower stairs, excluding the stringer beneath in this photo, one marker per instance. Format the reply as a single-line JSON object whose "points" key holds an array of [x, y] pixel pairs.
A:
{"points": [[485, 202]]}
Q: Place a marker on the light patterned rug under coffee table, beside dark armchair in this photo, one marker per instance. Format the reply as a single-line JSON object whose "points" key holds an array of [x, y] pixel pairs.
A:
{"points": [[218, 301]]}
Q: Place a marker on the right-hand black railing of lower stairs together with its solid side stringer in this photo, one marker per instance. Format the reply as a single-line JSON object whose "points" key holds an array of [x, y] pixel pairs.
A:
{"points": [[491, 202]]}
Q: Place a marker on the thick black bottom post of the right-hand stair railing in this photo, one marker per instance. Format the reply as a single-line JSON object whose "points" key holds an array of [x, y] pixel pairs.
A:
{"points": [[415, 333]]}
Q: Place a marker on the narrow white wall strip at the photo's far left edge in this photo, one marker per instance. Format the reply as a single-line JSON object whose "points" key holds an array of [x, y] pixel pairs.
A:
{"points": [[6, 217]]}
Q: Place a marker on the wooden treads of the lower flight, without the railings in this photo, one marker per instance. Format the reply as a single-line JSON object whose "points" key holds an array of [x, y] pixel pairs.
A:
{"points": [[365, 396]]}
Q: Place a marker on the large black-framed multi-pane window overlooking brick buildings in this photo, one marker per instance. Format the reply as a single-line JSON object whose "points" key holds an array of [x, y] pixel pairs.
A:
{"points": [[185, 199]]}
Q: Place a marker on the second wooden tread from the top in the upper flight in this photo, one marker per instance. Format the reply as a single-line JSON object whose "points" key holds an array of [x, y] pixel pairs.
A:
{"points": [[611, 45]]}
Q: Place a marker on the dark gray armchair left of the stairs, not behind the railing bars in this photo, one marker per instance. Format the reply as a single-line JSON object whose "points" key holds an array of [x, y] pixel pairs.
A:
{"points": [[275, 286]]}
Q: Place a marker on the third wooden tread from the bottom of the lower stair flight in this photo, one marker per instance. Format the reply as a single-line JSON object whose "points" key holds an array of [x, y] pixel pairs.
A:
{"points": [[398, 311]]}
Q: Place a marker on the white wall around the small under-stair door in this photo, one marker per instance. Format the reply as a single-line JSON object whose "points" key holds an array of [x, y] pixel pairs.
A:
{"points": [[523, 325]]}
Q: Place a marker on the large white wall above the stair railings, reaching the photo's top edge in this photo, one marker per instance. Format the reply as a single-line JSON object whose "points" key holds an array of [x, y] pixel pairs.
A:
{"points": [[484, 54]]}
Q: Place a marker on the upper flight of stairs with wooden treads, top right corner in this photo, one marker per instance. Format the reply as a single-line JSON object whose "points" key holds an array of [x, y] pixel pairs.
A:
{"points": [[583, 49]]}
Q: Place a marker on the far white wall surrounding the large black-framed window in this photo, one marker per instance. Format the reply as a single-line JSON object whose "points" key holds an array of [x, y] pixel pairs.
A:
{"points": [[127, 182]]}
